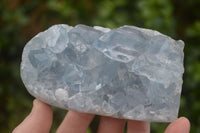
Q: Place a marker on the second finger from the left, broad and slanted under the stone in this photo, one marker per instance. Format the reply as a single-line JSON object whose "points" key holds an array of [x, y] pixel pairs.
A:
{"points": [[75, 122]]}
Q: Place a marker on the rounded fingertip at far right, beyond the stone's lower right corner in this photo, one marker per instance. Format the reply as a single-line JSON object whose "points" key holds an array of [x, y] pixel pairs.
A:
{"points": [[182, 125]]}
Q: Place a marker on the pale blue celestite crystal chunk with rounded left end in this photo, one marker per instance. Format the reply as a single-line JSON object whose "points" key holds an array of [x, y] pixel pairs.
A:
{"points": [[128, 72]]}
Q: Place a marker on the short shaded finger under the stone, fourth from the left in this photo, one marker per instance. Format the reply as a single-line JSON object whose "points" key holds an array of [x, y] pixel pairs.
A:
{"points": [[138, 126]]}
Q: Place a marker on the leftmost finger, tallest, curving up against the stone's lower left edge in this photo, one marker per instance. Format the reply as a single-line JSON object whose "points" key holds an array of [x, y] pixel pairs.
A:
{"points": [[38, 121]]}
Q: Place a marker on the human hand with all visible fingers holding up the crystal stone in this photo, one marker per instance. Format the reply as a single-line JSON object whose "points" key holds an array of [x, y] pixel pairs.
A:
{"points": [[41, 117]]}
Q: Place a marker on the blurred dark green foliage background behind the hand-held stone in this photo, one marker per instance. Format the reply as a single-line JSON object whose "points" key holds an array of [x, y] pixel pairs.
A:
{"points": [[20, 20]]}
